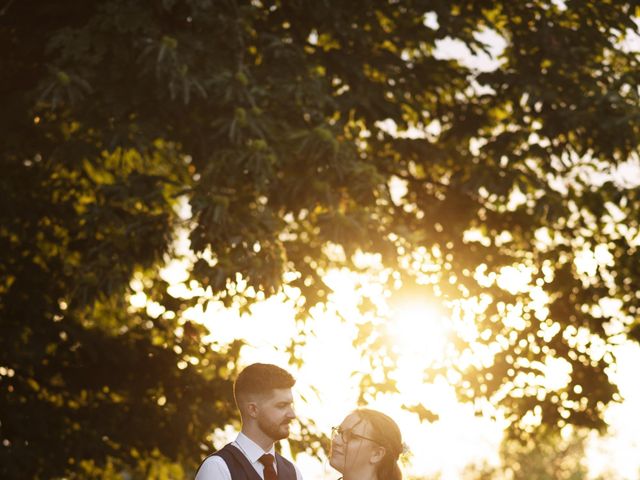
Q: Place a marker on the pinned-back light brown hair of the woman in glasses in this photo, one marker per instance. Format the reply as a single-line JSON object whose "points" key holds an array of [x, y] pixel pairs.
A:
{"points": [[387, 434]]}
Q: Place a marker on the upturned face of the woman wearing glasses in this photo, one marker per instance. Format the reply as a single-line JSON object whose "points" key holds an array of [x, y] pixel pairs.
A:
{"points": [[351, 446]]}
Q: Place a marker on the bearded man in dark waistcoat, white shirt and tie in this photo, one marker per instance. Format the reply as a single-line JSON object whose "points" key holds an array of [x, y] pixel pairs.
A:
{"points": [[263, 397]]}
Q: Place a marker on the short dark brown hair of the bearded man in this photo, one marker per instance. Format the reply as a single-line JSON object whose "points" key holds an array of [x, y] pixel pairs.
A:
{"points": [[260, 378]]}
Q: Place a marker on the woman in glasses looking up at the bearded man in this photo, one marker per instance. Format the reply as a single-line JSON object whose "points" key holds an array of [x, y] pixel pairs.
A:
{"points": [[366, 446]]}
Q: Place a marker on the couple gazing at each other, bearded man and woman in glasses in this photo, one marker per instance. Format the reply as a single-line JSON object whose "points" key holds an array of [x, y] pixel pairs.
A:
{"points": [[366, 446]]}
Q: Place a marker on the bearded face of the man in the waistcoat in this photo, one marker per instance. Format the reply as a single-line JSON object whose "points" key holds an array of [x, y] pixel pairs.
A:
{"points": [[275, 412]]}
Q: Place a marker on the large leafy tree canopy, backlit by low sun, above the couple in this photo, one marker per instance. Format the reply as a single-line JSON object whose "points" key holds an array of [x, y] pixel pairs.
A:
{"points": [[269, 119]]}
